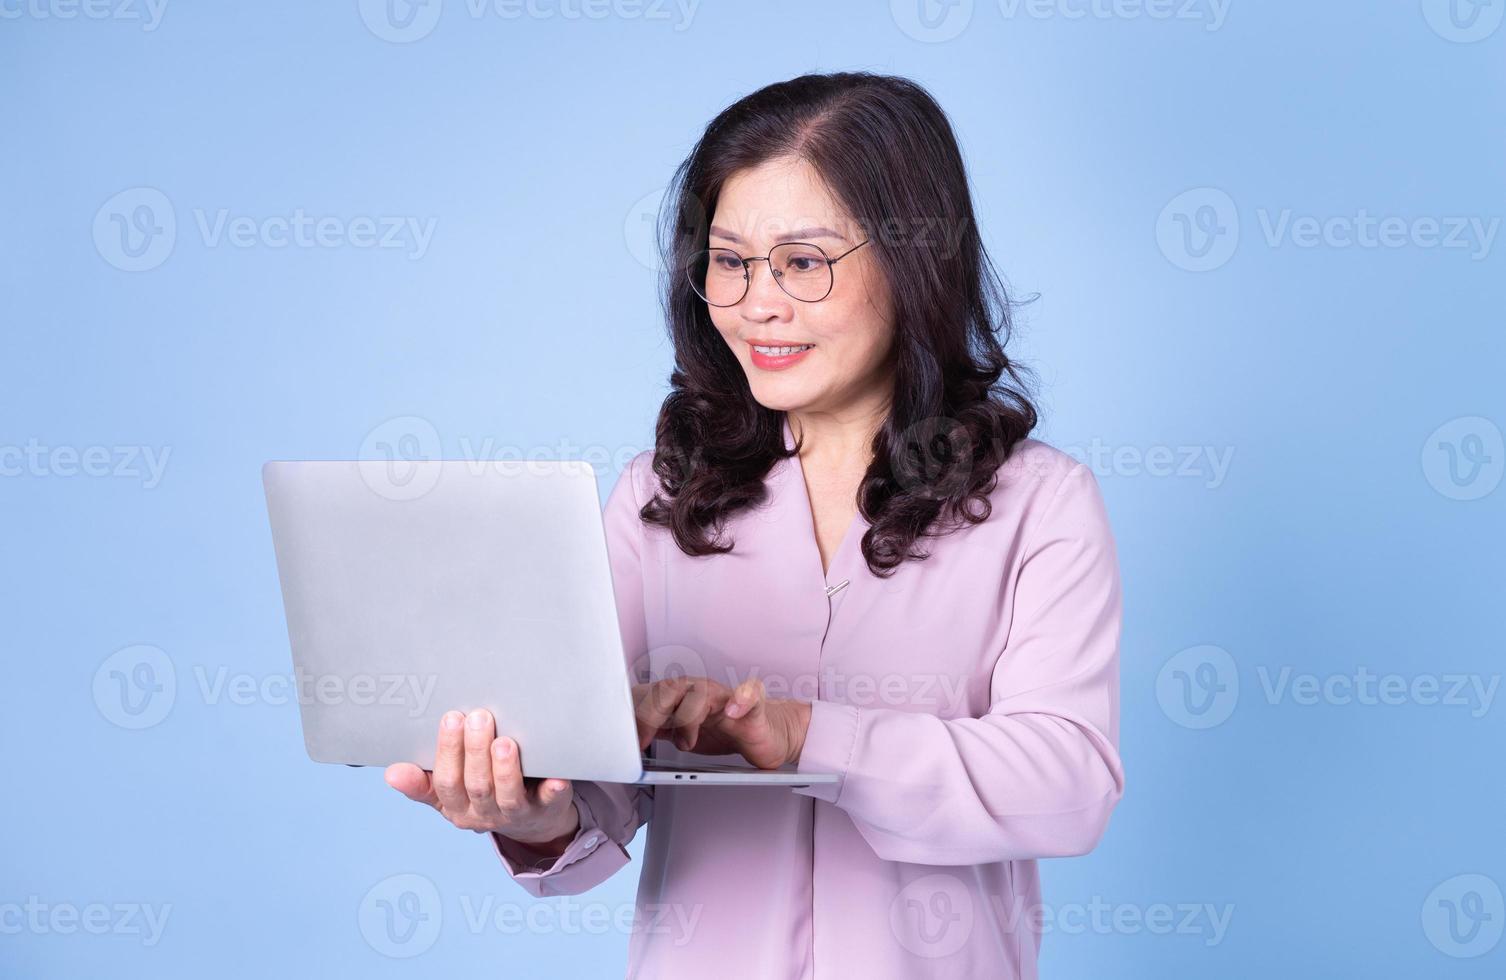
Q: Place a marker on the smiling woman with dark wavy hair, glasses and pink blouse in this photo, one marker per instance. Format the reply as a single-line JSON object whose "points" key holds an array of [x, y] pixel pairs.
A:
{"points": [[840, 394]]}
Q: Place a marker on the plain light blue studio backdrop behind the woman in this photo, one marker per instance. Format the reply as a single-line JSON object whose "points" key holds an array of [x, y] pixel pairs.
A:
{"points": [[1337, 541]]}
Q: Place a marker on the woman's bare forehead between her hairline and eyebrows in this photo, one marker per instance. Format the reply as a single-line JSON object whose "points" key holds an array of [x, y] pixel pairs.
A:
{"points": [[779, 196]]}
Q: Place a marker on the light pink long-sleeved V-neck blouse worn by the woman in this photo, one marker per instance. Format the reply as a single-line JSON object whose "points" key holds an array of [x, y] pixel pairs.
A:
{"points": [[971, 705]]}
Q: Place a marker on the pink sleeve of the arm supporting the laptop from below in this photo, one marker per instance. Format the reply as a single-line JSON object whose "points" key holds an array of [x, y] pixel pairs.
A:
{"points": [[611, 814]]}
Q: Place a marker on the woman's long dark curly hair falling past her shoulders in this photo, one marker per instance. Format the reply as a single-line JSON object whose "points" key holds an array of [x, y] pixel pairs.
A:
{"points": [[960, 407]]}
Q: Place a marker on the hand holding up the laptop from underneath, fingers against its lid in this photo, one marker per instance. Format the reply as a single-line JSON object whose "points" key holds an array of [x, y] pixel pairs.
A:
{"points": [[478, 785]]}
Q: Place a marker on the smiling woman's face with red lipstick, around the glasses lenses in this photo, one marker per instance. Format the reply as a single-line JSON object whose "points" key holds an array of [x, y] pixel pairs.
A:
{"points": [[852, 329]]}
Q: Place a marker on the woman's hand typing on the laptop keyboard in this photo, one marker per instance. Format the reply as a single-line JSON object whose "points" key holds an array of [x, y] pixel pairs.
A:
{"points": [[704, 716]]}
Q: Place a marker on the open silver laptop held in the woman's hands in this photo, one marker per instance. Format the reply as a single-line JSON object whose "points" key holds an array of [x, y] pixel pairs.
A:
{"points": [[415, 588]]}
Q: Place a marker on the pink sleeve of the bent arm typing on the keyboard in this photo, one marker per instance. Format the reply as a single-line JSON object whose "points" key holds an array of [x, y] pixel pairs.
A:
{"points": [[1038, 775]]}
